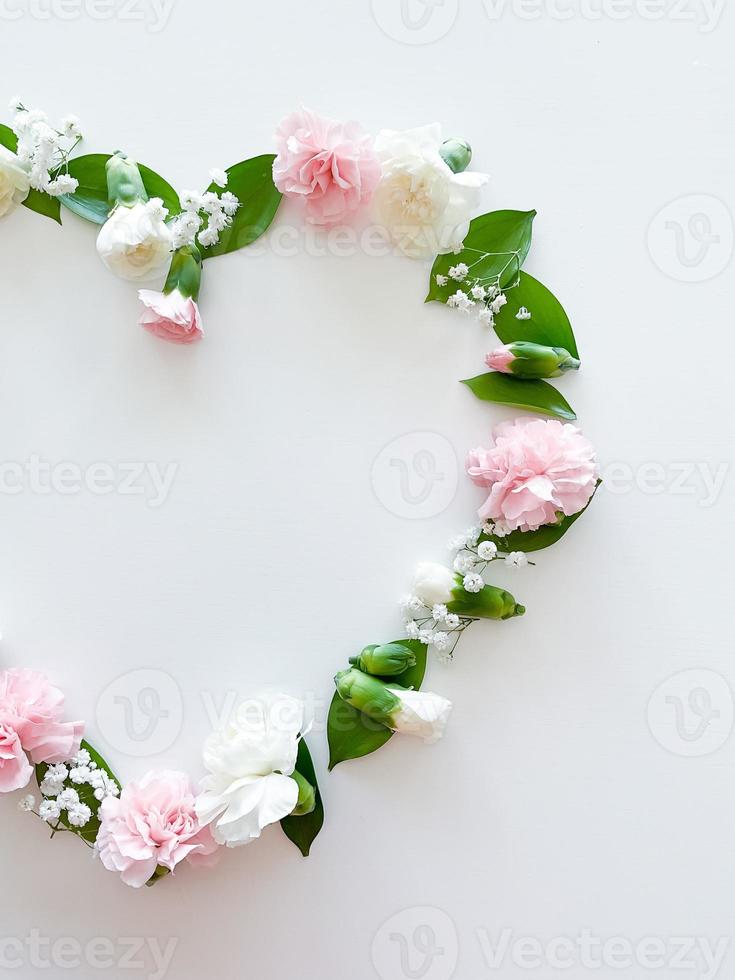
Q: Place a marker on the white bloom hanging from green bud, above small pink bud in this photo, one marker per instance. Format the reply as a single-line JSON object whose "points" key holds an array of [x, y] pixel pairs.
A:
{"points": [[135, 243]]}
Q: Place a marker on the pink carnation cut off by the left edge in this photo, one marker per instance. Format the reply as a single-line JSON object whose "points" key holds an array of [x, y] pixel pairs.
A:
{"points": [[30, 722]]}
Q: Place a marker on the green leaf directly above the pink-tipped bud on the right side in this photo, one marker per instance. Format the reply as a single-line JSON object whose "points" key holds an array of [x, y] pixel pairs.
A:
{"points": [[549, 325]]}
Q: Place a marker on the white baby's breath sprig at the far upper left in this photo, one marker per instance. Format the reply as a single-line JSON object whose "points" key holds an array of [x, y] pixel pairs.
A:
{"points": [[44, 151]]}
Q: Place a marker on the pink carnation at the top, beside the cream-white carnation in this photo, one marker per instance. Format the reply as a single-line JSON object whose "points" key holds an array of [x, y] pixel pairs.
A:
{"points": [[330, 165]]}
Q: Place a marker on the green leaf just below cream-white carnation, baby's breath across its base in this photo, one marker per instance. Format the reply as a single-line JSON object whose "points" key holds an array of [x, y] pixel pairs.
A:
{"points": [[504, 235]]}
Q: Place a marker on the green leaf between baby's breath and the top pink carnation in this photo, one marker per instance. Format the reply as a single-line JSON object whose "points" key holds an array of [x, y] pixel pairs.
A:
{"points": [[252, 183]]}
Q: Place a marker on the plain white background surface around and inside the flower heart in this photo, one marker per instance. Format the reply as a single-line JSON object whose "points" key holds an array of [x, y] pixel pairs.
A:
{"points": [[557, 802]]}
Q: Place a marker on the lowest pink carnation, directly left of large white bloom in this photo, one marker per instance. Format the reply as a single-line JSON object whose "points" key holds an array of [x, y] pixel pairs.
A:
{"points": [[152, 823]]}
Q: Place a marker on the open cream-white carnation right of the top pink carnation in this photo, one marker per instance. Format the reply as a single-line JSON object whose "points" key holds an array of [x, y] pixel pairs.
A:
{"points": [[424, 206]]}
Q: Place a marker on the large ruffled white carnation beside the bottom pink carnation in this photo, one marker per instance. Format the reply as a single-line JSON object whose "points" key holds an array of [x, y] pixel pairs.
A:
{"points": [[250, 762]]}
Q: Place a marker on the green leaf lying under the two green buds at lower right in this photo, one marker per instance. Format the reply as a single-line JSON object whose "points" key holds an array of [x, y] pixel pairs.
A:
{"points": [[352, 734]]}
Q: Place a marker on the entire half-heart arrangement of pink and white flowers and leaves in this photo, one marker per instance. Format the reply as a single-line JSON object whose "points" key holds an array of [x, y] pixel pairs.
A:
{"points": [[538, 475]]}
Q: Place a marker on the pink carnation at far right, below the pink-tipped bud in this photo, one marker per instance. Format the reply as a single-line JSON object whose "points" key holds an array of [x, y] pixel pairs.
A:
{"points": [[536, 470]]}
